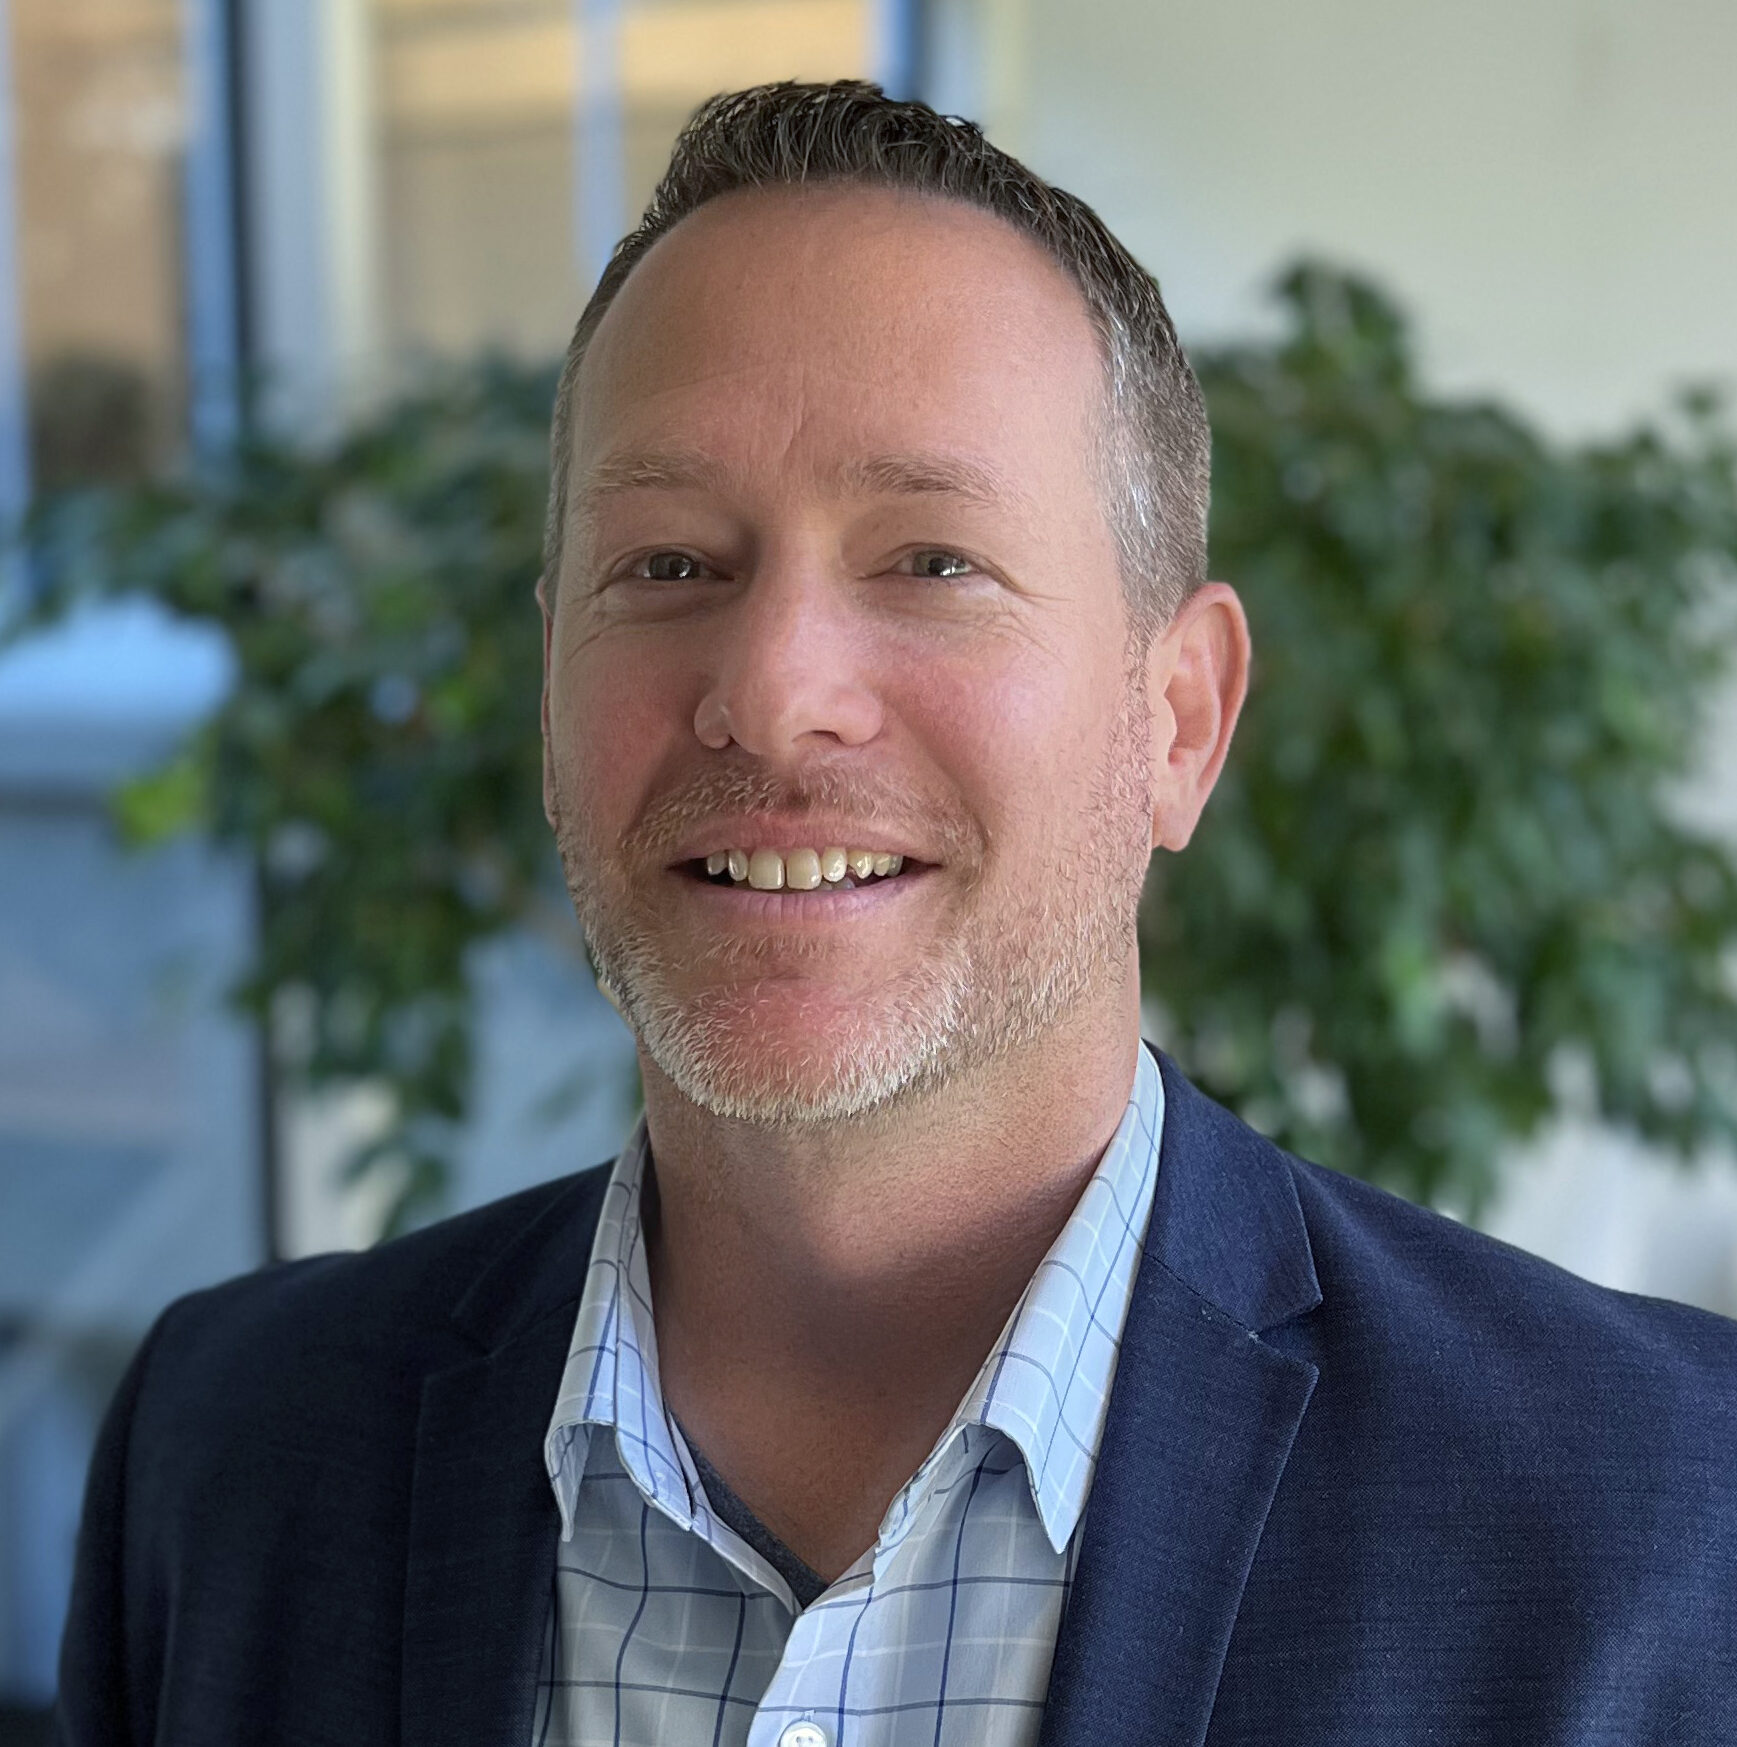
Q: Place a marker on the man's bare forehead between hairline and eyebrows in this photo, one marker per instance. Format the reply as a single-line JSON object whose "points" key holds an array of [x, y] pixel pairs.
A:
{"points": [[817, 321]]}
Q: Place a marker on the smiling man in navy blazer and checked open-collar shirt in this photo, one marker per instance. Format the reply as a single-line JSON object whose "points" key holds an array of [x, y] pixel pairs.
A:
{"points": [[936, 1364]]}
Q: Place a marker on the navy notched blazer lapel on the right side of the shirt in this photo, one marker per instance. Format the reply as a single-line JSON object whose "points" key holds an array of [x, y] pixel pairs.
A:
{"points": [[1201, 1421]]}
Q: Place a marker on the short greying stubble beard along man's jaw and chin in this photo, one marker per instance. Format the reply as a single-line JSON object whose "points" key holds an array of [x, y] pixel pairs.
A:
{"points": [[997, 984]]}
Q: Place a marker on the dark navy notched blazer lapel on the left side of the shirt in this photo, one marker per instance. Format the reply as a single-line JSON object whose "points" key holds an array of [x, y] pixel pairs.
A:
{"points": [[483, 1516]]}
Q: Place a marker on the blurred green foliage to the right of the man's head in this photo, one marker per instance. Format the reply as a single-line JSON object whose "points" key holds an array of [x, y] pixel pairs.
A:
{"points": [[1444, 864]]}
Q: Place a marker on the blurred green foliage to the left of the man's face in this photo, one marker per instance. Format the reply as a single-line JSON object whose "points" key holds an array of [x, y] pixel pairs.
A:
{"points": [[380, 752]]}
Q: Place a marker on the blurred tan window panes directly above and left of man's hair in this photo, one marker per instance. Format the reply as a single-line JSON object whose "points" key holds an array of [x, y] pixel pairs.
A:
{"points": [[520, 137]]}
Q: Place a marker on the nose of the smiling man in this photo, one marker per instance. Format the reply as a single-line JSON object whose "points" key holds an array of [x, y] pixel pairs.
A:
{"points": [[791, 670]]}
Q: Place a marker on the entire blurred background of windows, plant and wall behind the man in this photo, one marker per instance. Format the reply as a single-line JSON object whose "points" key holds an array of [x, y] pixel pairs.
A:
{"points": [[280, 291]]}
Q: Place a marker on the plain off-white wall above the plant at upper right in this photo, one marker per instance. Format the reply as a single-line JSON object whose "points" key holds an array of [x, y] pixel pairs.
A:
{"points": [[1549, 184]]}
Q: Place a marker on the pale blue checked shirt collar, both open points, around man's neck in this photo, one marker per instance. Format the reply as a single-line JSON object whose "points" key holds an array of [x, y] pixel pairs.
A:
{"points": [[1046, 1384]]}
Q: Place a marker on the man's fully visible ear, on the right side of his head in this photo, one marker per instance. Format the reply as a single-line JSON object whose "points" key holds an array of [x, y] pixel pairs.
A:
{"points": [[1196, 680]]}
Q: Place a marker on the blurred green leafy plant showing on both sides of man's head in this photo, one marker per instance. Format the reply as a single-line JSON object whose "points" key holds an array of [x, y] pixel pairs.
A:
{"points": [[1443, 862]]}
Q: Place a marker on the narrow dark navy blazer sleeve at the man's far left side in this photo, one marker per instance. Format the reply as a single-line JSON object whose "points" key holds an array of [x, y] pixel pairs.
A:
{"points": [[104, 1699]]}
